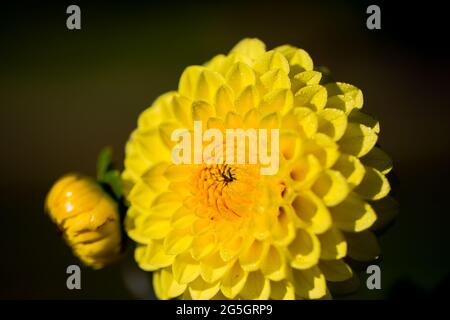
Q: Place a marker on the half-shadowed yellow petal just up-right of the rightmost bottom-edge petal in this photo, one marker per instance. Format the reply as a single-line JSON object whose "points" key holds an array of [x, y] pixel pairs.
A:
{"points": [[333, 245]]}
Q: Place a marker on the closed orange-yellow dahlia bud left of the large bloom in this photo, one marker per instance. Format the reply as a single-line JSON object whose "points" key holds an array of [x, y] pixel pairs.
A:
{"points": [[88, 219]]}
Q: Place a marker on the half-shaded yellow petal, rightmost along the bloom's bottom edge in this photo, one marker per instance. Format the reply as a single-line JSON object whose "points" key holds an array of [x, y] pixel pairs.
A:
{"points": [[310, 283]]}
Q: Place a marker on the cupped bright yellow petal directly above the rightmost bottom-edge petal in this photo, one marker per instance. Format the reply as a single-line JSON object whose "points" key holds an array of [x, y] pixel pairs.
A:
{"points": [[304, 250]]}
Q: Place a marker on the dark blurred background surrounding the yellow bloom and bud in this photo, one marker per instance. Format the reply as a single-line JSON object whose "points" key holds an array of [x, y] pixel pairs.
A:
{"points": [[66, 94]]}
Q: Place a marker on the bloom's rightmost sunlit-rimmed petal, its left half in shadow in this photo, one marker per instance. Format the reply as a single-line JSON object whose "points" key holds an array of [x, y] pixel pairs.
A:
{"points": [[374, 185]]}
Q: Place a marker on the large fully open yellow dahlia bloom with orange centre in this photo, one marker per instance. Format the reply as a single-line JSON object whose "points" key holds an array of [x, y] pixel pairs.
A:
{"points": [[226, 231]]}
